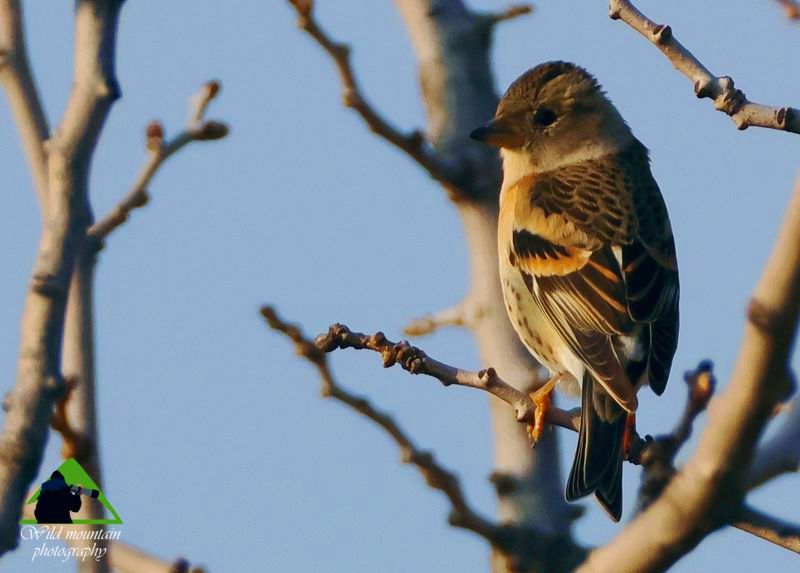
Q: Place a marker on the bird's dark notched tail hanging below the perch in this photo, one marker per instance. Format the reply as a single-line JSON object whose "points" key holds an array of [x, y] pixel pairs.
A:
{"points": [[597, 467]]}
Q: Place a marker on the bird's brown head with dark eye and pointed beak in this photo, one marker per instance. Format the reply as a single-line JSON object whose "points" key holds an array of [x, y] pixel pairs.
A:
{"points": [[554, 114]]}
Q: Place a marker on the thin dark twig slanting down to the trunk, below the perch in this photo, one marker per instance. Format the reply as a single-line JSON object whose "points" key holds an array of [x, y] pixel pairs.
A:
{"points": [[438, 477]]}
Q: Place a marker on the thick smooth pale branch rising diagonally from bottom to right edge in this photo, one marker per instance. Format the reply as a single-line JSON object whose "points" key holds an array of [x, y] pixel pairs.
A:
{"points": [[706, 492]]}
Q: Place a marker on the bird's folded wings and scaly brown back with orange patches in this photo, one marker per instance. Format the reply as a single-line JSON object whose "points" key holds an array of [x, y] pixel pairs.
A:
{"points": [[574, 230]]}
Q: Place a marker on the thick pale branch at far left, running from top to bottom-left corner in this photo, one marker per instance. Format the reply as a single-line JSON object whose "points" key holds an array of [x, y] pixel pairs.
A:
{"points": [[39, 383]]}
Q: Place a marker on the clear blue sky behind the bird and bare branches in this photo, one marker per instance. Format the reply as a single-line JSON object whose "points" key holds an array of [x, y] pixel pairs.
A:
{"points": [[215, 442]]}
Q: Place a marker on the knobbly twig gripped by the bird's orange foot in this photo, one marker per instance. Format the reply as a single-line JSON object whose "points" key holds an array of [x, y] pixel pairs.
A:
{"points": [[415, 361]]}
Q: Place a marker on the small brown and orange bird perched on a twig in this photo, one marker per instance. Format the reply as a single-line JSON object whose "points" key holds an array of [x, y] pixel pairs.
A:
{"points": [[587, 260]]}
